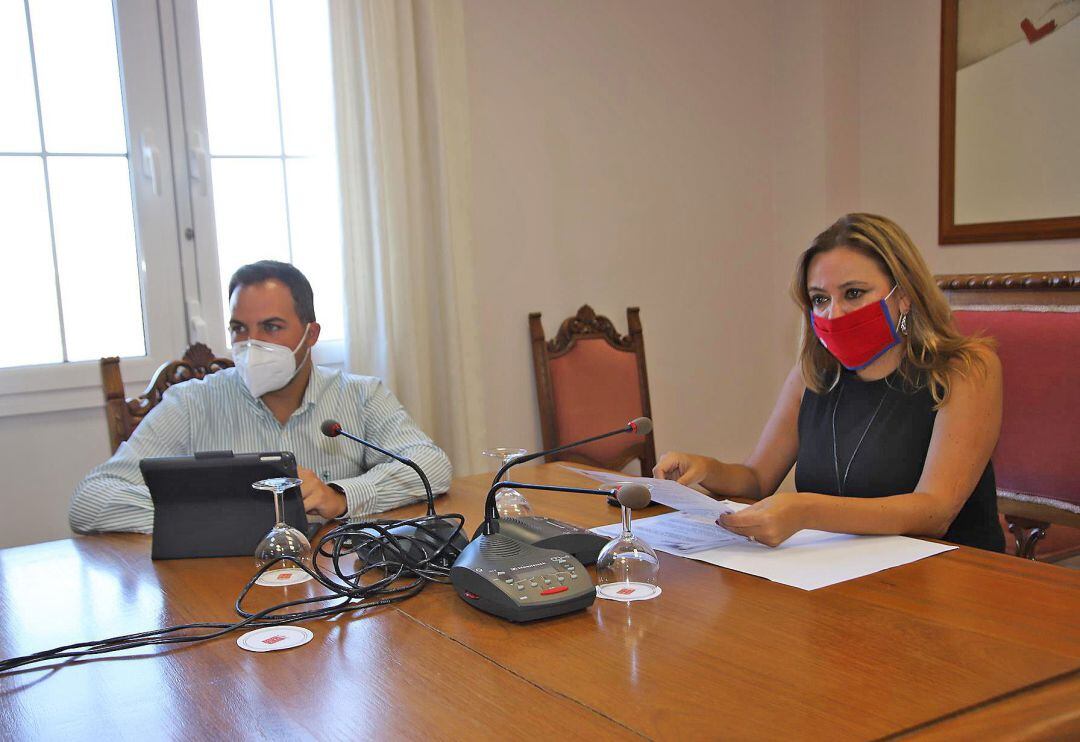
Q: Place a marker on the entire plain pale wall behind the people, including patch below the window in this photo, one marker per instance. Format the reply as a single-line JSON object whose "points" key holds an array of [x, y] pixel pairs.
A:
{"points": [[674, 156]]}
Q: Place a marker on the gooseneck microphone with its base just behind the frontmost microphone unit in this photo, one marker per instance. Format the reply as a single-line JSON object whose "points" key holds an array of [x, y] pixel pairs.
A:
{"points": [[549, 533]]}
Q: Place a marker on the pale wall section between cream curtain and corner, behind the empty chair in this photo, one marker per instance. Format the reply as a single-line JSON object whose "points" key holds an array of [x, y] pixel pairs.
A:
{"points": [[623, 155]]}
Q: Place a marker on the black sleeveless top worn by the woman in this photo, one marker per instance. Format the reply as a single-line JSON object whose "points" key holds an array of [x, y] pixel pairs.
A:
{"points": [[888, 453]]}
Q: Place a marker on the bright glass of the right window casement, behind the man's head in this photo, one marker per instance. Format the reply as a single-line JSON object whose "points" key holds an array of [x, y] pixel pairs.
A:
{"points": [[285, 49]]}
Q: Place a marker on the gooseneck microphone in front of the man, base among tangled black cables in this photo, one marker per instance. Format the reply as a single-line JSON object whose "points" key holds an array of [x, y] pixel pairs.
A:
{"points": [[420, 544]]}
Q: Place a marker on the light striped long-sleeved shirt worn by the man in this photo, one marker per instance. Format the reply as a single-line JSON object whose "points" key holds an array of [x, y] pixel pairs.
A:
{"points": [[219, 413]]}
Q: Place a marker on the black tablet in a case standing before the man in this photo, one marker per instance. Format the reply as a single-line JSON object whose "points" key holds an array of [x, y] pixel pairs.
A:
{"points": [[205, 505]]}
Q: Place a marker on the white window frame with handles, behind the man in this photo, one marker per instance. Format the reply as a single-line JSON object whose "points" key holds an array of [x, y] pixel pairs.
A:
{"points": [[166, 118]]}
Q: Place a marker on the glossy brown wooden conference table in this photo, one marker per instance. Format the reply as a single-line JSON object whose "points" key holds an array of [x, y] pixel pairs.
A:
{"points": [[958, 645]]}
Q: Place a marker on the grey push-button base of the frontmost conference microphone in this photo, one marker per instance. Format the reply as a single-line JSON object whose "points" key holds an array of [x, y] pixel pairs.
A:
{"points": [[521, 583]]}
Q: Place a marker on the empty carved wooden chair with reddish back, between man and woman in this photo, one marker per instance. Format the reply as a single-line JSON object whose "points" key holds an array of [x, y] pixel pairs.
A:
{"points": [[590, 380]]}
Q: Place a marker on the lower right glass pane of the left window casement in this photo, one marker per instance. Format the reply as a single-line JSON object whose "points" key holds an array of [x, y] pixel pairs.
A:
{"points": [[97, 257]]}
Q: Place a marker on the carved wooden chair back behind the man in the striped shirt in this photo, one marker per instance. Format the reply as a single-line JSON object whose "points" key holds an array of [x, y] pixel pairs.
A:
{"points": [[124, 414]]}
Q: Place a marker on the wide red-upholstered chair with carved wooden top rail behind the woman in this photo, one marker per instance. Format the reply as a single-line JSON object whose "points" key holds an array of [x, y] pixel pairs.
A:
{"points": [[1035, 319]]}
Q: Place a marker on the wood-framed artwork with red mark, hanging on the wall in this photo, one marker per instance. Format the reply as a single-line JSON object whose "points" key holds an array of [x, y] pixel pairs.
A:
{"points": [[1010, 122]]}
